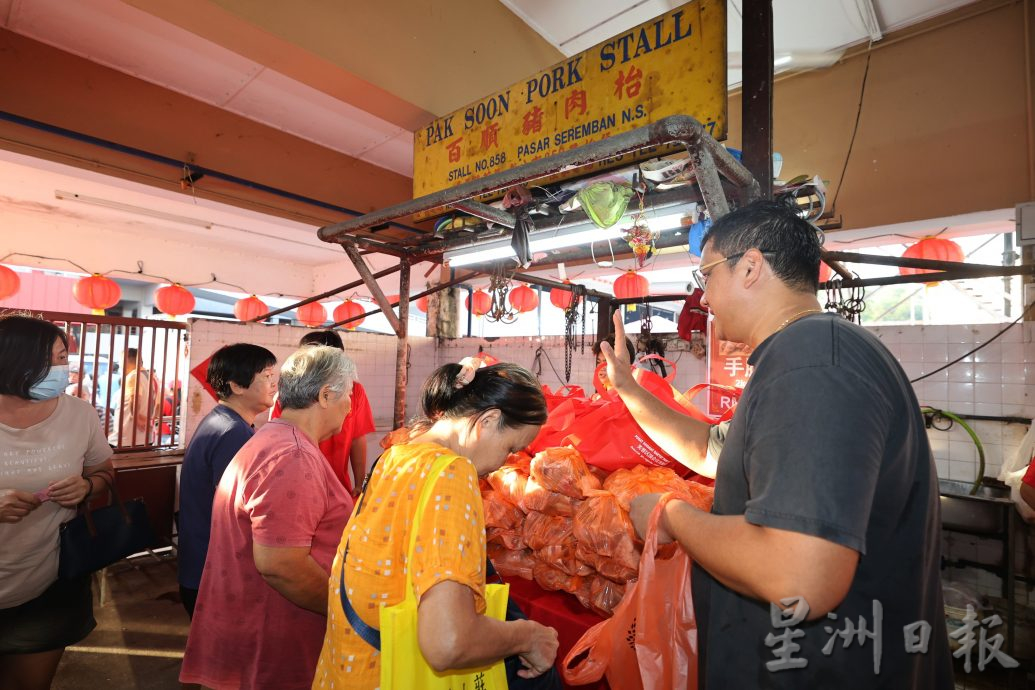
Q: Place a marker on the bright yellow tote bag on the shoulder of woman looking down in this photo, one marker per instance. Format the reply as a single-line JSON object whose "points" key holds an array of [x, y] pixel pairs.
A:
{"points": [[403, 666]]}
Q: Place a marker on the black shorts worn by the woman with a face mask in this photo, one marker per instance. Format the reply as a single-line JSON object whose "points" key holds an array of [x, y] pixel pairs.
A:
{"points": [[60, 617]]}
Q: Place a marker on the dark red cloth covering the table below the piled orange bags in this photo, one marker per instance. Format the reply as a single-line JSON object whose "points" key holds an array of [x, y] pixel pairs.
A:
{"points": [[561, 612]]}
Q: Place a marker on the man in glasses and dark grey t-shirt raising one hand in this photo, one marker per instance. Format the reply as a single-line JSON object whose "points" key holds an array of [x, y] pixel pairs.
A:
{"points": [[819, 564]]}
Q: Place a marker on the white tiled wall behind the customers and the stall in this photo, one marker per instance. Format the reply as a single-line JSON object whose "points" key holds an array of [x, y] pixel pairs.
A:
{"points": [[998, 380]]}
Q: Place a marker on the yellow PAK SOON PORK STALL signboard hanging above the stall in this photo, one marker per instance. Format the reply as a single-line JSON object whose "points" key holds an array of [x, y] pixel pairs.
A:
{"points": [[672, 66]]}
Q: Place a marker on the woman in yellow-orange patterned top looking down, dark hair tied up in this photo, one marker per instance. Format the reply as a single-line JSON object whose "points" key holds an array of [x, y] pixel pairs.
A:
{"points": [[478, 417]]}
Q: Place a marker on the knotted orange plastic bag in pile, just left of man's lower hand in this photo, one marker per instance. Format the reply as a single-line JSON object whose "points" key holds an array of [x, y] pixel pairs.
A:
{"points": [[604, 527]]}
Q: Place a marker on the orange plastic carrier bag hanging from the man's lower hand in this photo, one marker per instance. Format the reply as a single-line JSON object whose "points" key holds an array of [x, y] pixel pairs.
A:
{"points": [[660, 654]]}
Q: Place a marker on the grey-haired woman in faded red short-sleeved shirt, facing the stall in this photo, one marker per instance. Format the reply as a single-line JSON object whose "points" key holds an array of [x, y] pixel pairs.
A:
{"points": [[277, 521]]}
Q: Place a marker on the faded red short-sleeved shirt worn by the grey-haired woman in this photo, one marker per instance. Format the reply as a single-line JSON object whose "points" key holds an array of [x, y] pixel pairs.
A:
{"points": [[278, 492]]}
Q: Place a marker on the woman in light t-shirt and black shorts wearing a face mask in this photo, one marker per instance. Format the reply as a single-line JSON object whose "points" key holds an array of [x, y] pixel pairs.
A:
{"points": [[53, 457]]}
